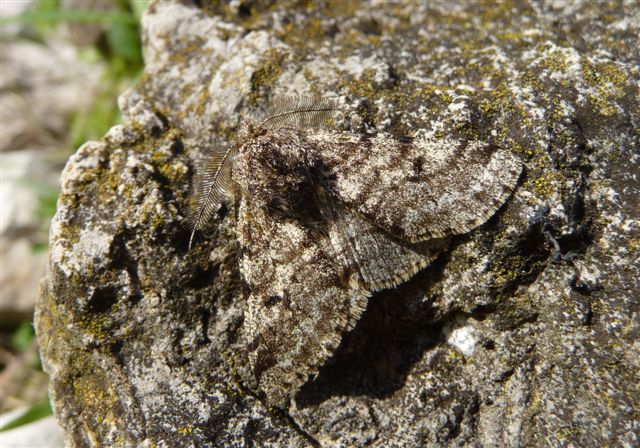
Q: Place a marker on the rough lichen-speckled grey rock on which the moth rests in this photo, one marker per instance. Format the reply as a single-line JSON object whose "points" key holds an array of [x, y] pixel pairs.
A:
{"points": [[524, 333]]}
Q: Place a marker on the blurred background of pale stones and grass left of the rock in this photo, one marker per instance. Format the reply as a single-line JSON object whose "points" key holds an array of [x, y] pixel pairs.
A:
{"points": [[63, 64]]}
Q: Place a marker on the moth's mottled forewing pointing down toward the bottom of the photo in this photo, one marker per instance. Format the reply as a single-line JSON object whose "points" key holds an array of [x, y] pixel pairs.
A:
{"points": [[298, 307]]}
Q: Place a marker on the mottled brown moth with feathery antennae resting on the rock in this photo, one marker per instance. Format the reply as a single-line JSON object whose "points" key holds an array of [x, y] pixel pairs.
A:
{"points": [[325, 218]]}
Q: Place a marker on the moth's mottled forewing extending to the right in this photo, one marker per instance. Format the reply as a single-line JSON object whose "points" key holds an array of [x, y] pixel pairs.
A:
{"points": [[417, 190]]}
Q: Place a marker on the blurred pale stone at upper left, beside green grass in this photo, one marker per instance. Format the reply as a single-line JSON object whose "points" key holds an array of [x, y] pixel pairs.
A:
{"points": [[42, 86]]}
